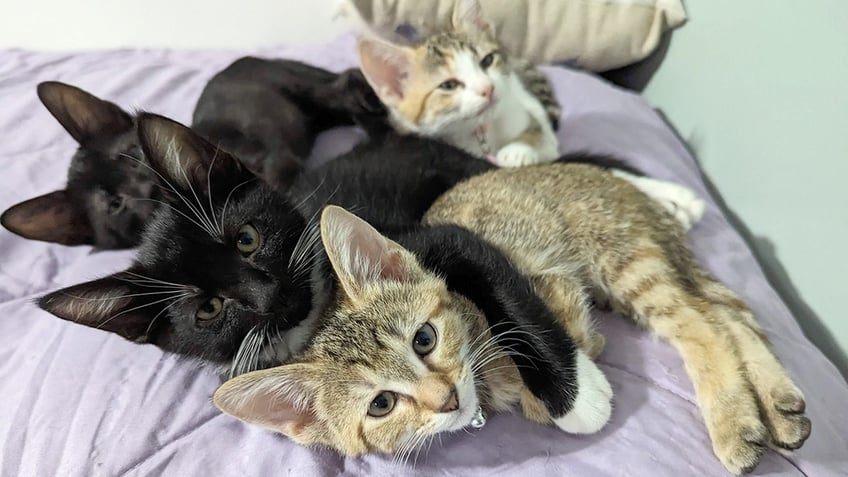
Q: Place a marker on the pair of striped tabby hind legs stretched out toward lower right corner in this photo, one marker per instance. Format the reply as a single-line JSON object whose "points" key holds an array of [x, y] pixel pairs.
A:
{"points": [[747, 399]]}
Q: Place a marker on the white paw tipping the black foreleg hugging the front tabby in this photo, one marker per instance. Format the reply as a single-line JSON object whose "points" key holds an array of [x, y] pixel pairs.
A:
{"points": [[592, 407]]}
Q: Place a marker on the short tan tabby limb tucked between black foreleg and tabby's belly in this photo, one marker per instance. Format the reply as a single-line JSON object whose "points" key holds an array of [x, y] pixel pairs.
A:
{"points": [[567, 299]]}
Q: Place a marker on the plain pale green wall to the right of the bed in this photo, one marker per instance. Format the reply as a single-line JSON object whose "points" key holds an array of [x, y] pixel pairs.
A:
{"points": [[760, 89]]}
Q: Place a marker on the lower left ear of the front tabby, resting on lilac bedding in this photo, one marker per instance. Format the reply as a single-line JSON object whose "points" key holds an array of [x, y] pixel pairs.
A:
{"points": [[279, 399]]}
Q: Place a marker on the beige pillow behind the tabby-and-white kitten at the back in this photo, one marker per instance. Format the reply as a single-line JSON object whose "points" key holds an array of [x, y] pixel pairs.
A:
{"points": [[597, 35]]}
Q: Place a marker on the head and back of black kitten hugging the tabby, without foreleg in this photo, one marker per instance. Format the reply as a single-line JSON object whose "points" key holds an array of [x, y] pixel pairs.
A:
{"points": [[230, 264]]}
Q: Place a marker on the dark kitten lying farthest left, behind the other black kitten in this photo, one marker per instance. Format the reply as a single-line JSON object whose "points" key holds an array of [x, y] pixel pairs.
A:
{"points": [[247, 108]]}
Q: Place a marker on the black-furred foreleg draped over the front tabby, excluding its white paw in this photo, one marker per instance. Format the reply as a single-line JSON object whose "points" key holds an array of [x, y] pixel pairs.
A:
{"points": [[544, 352]]}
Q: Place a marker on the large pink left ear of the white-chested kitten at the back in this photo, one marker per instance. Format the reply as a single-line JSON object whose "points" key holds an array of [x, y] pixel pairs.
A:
{"points": [[386, 67]]}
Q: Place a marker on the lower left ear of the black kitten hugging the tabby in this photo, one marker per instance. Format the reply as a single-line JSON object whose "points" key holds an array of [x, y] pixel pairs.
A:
{"points": [[115, 303]]}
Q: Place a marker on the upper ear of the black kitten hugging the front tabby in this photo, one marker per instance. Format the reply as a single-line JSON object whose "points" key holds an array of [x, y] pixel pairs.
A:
{"points": [[185, 160]]}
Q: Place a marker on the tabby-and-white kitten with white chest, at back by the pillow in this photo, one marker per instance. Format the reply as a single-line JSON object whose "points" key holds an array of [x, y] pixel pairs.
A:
{"points": [[461, 88]]}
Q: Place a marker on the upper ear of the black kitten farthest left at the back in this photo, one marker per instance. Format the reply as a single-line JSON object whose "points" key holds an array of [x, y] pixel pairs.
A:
{"points": [[83, 115]]}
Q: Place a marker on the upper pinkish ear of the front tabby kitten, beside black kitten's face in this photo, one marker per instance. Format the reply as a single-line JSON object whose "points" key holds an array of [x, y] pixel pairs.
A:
{"points": [[361, 256]]}
